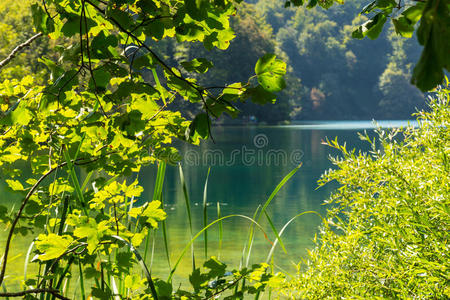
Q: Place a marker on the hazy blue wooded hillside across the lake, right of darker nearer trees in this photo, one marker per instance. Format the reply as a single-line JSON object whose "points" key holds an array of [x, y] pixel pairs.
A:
{"points": [[341, 77]]}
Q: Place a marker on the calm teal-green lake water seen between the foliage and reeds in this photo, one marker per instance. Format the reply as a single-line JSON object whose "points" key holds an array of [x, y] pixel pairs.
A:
{"points": [[247, 163]]}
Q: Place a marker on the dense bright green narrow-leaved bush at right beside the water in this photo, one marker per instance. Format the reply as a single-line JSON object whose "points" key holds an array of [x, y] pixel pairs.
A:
{"points": [[387, 233]]}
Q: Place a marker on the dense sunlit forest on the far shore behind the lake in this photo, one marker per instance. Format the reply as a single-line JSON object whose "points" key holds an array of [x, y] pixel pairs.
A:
{"points": [[330, 75]]}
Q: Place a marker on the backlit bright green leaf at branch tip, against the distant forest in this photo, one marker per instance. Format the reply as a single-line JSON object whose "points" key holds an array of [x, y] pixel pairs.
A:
{"points": [[270, 72]]}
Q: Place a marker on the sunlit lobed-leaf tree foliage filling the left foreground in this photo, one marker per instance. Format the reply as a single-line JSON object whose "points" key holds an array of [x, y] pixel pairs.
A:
{"points": [[71, 145]]}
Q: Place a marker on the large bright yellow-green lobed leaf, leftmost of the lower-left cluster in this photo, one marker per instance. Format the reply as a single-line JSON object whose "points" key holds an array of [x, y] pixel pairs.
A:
{"points": [[52, 245]]}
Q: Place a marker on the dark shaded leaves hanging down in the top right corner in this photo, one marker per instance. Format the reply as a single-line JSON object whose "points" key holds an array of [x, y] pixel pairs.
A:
{"points": [[433, 31]]}
